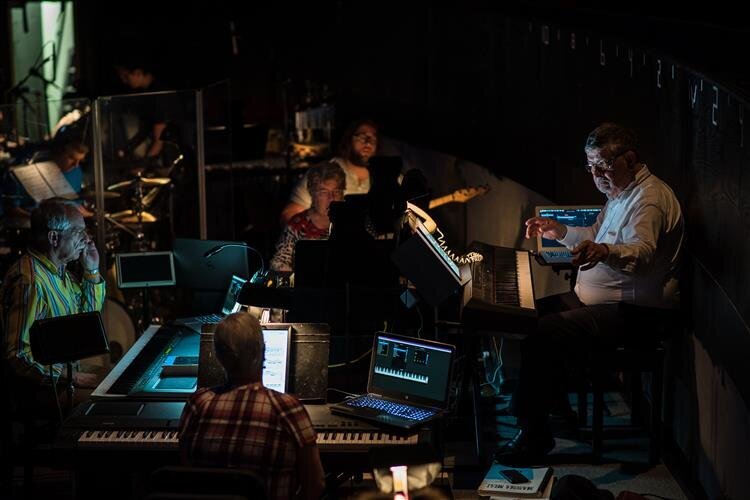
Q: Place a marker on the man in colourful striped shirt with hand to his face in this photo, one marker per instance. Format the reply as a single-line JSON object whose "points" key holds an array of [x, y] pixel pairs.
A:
{"points": [[38, 286]]}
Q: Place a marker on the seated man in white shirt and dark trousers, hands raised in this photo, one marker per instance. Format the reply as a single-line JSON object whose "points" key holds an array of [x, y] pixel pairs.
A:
{"points": [[629, 256]]}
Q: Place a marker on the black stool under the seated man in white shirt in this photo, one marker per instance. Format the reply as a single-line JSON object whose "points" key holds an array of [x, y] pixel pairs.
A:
{"points": [[641, 357]]}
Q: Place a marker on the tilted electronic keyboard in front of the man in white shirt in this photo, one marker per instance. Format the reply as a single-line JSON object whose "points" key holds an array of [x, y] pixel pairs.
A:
{"points": [[500, 297]]}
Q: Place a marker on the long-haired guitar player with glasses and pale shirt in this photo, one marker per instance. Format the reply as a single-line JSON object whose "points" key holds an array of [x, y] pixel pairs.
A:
{"points": [[358, 144]]}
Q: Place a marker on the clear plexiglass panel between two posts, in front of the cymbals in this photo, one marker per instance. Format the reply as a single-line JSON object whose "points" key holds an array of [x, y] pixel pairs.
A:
{"points": [[148, 170]]}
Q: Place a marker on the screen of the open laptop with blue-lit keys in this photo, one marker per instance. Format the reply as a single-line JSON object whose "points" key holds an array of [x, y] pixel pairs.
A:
{"points": [[411, 369]]}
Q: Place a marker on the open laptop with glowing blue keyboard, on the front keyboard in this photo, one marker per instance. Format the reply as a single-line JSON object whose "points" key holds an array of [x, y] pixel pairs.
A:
{"points": [[408, 382]]}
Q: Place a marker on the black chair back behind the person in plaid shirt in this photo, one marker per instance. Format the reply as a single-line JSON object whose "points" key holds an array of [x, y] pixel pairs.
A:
{"points": [[180, 482]]}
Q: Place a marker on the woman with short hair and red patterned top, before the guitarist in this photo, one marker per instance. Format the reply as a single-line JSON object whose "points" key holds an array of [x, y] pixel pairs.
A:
{"points": [[325, 183]]}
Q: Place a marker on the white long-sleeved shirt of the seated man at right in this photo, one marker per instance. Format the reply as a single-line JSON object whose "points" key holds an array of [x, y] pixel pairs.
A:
{"points": [[643, 228]]}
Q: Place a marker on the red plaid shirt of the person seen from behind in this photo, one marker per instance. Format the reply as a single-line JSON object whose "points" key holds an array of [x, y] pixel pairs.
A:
{"points": [[250, 427]]}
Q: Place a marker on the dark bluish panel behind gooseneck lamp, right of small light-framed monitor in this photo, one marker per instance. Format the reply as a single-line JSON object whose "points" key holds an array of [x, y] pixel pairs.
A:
{"points": [[195, 271]]}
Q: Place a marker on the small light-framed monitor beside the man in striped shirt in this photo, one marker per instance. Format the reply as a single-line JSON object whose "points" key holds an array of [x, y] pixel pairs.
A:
{"points": [[144, 269]]}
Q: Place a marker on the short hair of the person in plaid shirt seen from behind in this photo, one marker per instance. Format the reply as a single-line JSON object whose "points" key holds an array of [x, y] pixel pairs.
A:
{"points": [[238, 342]]}
